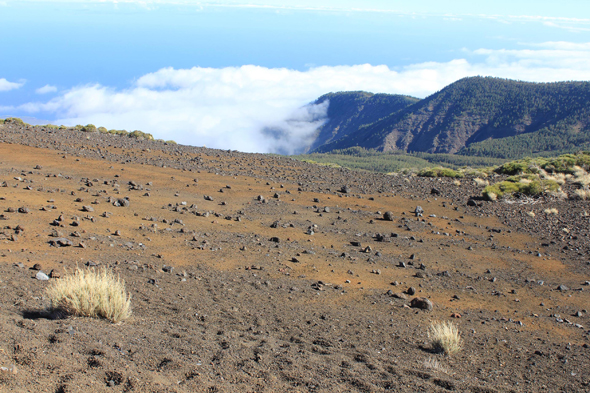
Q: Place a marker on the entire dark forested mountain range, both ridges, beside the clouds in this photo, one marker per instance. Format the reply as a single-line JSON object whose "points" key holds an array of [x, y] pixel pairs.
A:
{"points": [[473, 116]]}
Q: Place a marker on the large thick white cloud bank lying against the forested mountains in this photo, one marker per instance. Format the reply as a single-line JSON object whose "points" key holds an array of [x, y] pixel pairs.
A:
{"points": [[257, 109]]}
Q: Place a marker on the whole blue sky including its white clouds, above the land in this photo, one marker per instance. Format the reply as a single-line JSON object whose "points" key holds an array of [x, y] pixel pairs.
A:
{"points": [[216, 72]]}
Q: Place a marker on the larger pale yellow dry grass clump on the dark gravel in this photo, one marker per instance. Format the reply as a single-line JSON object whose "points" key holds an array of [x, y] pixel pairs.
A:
{"points": [[91, 293]]}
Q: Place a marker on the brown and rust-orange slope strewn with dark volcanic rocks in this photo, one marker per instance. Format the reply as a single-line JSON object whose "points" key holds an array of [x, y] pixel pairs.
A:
{"points": [[256, 273]]}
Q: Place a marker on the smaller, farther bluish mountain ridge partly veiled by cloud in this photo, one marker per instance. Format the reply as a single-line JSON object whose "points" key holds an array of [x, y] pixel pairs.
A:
{"points": [[348, 112]]}
